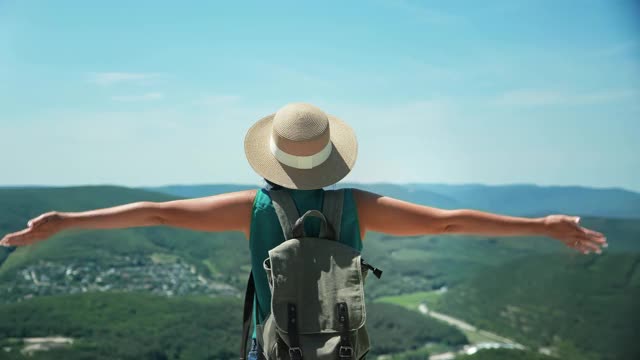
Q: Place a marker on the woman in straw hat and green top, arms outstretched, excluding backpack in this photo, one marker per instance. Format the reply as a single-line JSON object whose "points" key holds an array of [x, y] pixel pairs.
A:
{"points": [[302, 150]]}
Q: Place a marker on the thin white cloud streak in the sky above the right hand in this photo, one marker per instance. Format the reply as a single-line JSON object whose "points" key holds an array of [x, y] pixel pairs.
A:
{"points": [[553, 97]]}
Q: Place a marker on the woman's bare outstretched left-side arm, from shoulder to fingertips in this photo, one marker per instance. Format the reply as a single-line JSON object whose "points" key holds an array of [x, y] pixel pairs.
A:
{"points": [[225, 212]]}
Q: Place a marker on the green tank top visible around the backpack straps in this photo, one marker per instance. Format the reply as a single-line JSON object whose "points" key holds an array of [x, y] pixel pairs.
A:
{"points": [[266, 234]]}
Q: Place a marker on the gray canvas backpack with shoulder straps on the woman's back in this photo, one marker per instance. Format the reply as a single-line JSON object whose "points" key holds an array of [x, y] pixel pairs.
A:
{"points": [[317, 289]]}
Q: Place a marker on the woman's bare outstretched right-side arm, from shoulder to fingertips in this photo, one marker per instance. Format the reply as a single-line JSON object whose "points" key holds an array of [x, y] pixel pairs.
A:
{"points": [[397, 217]]}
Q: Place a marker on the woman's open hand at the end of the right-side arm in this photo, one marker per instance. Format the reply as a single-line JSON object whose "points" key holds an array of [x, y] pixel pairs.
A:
{"points": [[567, 229]]}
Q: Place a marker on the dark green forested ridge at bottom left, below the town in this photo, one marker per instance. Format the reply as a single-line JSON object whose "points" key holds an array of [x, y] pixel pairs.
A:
{"points": [[126, 326]]}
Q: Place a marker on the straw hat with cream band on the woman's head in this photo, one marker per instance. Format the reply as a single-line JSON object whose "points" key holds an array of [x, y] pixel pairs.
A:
{"points": [[301, 147]]}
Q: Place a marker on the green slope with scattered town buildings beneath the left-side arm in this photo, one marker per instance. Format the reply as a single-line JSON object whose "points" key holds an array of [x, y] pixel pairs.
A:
{"points": [[159, 260]]}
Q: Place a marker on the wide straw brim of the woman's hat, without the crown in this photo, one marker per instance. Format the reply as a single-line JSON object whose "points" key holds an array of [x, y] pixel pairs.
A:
{"points": [[335, 168]]}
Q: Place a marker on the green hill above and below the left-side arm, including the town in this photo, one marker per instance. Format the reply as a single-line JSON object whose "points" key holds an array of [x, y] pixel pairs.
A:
{"points": [[159, 259]]}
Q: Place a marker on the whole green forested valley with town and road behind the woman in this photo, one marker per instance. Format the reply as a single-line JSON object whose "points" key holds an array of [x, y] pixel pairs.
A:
{"points": [[477, 293]]}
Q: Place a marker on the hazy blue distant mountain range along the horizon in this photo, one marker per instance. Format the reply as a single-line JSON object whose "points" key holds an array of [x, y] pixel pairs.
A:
{"points": [[523, 200]]}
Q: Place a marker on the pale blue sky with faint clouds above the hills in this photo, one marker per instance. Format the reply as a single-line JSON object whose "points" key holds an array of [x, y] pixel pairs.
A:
{"points": [[152, 92]]}
